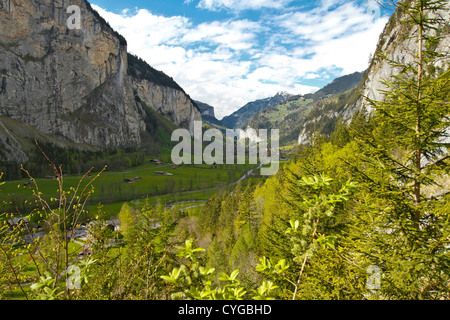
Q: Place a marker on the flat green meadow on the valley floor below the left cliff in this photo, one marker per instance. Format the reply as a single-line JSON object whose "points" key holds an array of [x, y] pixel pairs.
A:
{"points": [[191, 182]]}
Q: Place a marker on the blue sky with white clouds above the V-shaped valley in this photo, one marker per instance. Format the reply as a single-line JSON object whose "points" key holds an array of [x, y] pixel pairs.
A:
{"points": [[230, 52]]}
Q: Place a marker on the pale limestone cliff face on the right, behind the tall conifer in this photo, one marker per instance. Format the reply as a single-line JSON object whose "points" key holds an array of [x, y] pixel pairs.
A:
{"points": [[398, 43]]}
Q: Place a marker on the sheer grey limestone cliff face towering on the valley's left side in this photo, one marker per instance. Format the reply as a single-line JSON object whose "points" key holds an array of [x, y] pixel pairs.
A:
{"points": [[74, 84]]}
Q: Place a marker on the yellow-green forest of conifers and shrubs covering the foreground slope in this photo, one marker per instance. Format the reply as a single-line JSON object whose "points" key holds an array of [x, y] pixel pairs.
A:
{"points": [[361, 214]]}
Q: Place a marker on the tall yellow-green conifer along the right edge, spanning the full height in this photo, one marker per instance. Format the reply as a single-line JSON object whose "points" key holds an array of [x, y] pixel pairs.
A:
{"points": [[399, 224]]}
